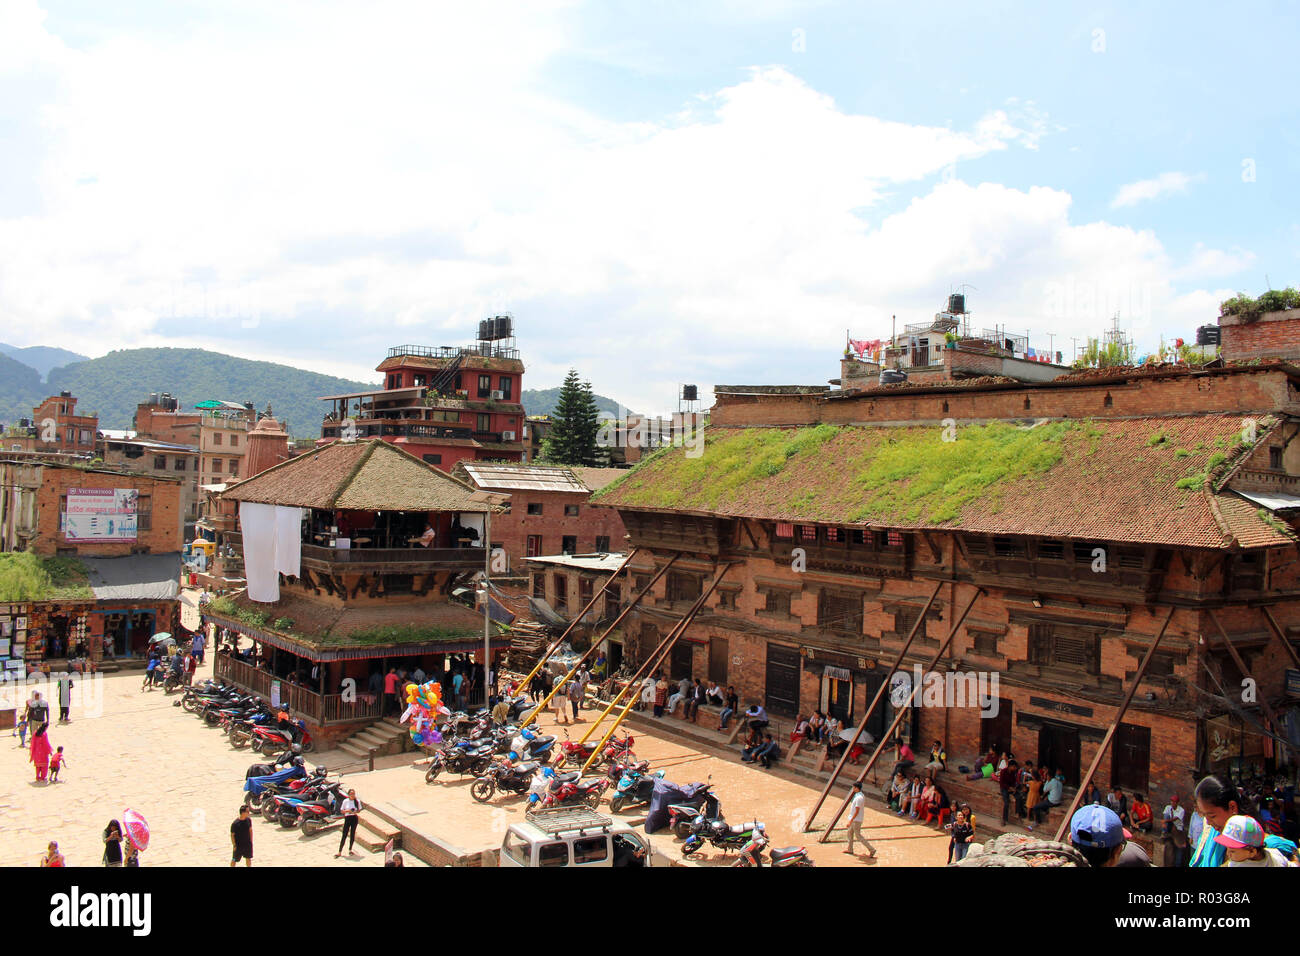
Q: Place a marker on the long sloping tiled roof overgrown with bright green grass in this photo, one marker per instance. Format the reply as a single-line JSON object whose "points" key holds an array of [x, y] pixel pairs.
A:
{"points": [[1113, 481]]}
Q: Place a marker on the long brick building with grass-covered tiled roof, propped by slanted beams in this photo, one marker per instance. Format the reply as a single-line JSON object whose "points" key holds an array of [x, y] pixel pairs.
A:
{"points": [[1080, 518]]}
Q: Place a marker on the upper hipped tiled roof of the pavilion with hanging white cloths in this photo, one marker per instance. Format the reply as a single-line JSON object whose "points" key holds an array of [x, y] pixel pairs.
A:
{"points": [[363, 477]]}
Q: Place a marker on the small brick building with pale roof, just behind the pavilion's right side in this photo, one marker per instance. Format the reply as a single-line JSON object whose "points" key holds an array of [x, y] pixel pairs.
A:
{"points": [[548, 511]]}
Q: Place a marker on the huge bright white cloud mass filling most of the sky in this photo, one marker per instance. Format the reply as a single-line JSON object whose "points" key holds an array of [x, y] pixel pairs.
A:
{"points": [[305, 184]]}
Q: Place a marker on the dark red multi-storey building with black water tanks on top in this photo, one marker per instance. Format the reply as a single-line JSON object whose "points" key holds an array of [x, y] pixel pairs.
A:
{"points": [[443, 405]]}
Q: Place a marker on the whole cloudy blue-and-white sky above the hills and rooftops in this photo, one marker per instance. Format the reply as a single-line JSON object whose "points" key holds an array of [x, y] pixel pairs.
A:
{"points": [[661, 194]]}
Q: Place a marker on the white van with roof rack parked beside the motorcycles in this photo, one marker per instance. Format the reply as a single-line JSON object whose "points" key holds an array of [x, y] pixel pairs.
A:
{"points": [[574, 837]]}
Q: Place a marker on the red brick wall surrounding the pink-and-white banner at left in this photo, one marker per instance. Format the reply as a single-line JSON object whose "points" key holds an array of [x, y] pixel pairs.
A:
{"points": [[164, 535]]}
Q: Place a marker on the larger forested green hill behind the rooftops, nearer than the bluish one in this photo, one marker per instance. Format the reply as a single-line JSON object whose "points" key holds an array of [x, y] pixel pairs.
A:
{"points": [[115, 384]]}
